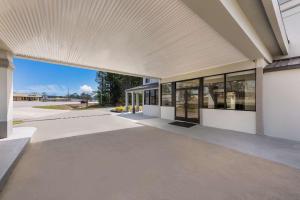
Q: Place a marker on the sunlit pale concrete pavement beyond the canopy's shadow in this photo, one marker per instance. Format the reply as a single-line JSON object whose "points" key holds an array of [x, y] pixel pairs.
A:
{"points": [[74, 123]]}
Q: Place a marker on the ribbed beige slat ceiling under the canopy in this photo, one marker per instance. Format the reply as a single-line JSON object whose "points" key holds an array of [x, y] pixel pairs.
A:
{"points": [[159, 38]]}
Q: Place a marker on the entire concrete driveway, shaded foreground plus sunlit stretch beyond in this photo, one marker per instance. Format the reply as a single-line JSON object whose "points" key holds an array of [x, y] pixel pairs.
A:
{"points": [[97, 155]]}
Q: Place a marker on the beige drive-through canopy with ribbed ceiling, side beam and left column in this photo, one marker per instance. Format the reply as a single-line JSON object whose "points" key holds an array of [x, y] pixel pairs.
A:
{"points": [[156, 38]]}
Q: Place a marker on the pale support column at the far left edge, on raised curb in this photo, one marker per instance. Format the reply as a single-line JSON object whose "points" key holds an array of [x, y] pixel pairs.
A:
{"points": [[6, 94]]}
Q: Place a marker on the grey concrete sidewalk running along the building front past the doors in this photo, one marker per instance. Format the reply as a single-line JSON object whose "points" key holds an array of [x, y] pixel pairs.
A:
{"points": [[279, 150]]}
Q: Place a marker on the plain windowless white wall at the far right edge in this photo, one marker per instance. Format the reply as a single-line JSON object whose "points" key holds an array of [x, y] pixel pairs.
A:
{"points": [[281, 104]]}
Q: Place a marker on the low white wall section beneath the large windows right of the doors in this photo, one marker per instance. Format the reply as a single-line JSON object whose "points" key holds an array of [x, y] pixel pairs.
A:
{"points": [[244, 121]]}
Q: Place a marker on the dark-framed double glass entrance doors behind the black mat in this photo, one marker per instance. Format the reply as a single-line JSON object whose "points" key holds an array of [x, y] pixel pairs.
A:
{"points": [[187, 105]]}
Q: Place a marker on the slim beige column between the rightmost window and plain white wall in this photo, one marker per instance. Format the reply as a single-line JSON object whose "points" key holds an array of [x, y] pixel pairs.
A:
{"points": [[260, 64]]}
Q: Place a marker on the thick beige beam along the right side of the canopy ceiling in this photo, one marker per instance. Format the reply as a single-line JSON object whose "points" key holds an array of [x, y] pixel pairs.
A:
{"points": [[228, 19]]}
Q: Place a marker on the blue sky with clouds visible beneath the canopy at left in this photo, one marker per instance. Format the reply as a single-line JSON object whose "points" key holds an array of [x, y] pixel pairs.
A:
{"points": [[34, 76]]}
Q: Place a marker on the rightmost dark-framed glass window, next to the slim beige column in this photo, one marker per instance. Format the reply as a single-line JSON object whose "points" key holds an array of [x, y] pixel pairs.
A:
{"points": [[240, 87]]}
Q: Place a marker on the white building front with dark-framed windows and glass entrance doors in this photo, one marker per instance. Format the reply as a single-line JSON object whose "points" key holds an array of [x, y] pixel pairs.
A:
{"points": [[253, 97]]}
